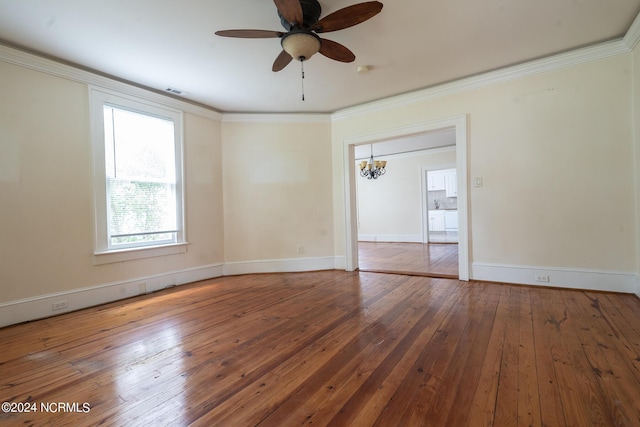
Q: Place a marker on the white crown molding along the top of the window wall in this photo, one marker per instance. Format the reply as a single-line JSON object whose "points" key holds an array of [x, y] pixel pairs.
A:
{"points": [[54, 68]]}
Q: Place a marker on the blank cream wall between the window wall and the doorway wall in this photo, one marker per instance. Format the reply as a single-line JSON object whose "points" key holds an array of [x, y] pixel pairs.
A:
{"points": [[277, 193]]}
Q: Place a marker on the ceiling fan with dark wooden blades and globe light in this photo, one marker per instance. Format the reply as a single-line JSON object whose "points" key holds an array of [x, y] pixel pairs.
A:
{"points": [[301, 20]]}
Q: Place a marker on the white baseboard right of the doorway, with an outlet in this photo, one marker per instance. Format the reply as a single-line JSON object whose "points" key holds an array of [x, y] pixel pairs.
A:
{"points": [[596, 280]]}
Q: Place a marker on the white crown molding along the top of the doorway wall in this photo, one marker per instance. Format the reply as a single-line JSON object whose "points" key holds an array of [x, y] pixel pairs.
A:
{"points": [[543, 65]]}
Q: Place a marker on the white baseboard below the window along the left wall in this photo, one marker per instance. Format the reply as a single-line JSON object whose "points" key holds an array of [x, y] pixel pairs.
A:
{"points": [[27, 309]]}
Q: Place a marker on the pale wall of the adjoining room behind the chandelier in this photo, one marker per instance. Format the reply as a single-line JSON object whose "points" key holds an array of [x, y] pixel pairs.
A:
{"points": [[390, 207]]}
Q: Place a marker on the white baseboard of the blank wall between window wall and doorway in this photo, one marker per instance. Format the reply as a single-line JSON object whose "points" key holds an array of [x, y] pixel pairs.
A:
{"points": [[280, 265]]}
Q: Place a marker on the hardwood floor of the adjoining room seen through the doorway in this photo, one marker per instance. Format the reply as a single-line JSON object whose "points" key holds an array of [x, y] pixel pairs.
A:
{"points": [[433, 259]]}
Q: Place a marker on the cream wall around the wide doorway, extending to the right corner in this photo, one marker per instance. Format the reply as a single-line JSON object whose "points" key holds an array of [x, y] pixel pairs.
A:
{"points": [[555, 151]]}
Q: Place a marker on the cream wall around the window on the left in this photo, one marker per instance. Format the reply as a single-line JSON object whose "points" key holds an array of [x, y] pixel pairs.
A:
{"points": [[46, 219]]}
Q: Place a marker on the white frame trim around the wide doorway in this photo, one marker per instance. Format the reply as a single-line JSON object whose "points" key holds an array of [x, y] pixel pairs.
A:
{"points": [[459, 123]]}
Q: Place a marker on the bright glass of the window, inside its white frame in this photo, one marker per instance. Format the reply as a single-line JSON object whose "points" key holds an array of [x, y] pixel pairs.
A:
{"points": [[141, 178]]}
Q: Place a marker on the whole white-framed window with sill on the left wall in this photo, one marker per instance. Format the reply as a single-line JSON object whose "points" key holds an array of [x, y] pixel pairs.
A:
{"points": [[137, 149]]}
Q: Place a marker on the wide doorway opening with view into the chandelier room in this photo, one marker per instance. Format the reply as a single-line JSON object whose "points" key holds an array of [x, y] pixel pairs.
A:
{"points": [[391, 209]]}
